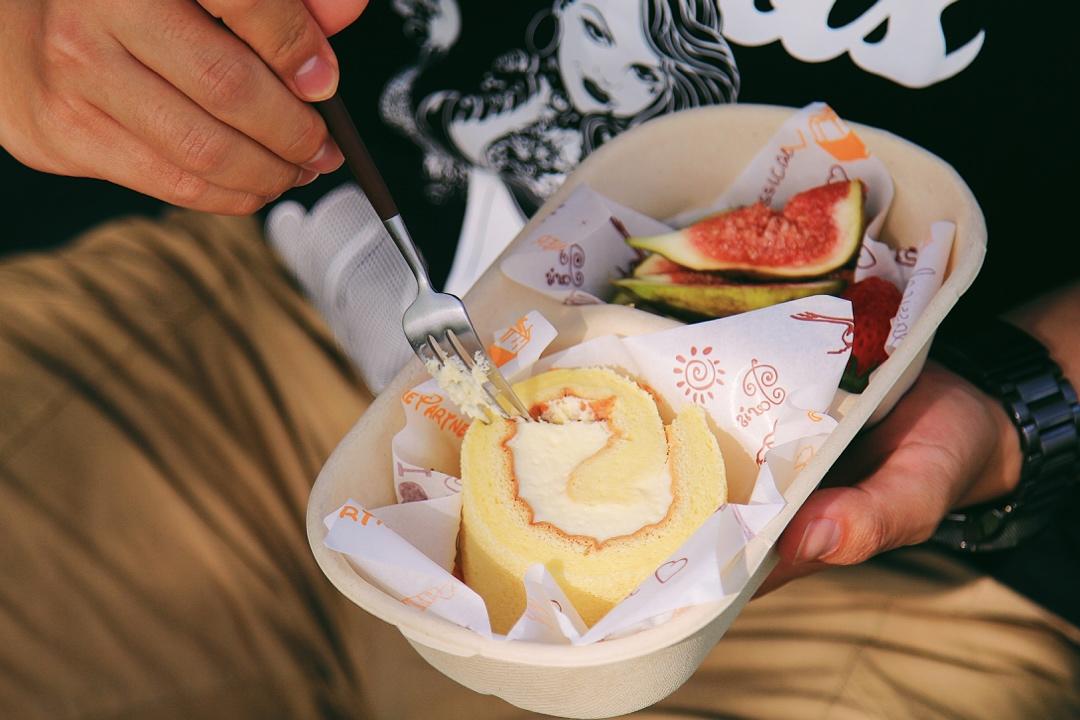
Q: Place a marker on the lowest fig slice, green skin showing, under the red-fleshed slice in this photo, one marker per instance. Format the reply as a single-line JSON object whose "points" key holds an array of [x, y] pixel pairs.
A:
{"points": [[712, 296]]}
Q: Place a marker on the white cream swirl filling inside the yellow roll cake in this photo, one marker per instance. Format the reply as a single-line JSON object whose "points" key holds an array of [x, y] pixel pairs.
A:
{"points": [[546, 456]]}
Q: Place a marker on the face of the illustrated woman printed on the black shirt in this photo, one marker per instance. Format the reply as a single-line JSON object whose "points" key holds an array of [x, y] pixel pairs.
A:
{"points": [[605, 61]]}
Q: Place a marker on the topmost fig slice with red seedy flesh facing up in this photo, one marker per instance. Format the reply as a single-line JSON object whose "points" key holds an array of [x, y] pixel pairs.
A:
{"points": [[818, 232]]}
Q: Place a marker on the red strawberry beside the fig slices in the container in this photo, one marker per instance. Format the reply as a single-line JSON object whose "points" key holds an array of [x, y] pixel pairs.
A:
{"points": [[874, 303]]}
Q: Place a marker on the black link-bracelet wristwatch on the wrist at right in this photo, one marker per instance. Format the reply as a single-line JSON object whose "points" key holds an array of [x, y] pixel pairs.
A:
{"points": [[1009, 364]]}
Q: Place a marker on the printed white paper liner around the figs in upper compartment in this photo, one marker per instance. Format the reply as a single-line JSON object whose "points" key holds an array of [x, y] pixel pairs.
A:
{"points": [[576, 252]]}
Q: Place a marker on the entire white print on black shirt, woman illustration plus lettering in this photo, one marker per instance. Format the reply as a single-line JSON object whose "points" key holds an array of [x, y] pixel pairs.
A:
{"points": [[589, 70]]}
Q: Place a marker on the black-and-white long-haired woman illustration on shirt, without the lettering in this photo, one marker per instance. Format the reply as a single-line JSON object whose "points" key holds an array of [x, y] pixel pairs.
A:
{"points": [[588, 71]]}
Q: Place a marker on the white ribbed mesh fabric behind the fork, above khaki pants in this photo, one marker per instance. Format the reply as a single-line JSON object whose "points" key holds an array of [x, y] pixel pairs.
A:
{"points": [[354, 274]]}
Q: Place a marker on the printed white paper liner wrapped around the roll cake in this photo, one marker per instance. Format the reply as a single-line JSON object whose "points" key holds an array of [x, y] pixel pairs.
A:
{"points": [[765, 378]]}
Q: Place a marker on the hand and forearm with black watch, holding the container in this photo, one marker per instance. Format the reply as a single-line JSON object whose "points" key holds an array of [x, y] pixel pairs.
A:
{"points": [[947, 445]]}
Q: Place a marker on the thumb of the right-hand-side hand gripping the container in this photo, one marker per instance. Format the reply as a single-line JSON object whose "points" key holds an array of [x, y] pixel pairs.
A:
{"points": [[899, 505]]}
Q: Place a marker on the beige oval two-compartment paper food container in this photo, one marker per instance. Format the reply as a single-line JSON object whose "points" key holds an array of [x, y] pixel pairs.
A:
{"points": [[665, 168]]}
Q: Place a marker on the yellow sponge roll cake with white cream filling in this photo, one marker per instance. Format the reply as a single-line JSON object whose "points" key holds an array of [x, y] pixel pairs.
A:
{"points": [[600, 492]]}
